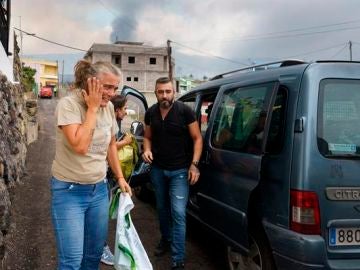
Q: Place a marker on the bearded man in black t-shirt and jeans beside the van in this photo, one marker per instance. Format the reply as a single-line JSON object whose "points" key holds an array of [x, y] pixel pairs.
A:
{"points": [[173, 145]]}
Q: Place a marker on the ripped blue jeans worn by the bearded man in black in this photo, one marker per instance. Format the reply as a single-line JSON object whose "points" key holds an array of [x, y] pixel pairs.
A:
{"points": [[172, 192]]}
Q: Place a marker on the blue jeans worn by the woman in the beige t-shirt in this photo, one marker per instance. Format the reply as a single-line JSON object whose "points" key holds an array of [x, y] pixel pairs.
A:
{"points": [[80, 217]]}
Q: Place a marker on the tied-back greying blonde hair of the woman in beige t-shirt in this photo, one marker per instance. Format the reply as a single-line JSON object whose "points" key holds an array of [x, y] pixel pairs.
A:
{"points": [[84, 69]]}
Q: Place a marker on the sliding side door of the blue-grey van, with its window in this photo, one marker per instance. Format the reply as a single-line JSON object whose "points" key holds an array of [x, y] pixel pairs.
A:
{"points": [[233, 151]]}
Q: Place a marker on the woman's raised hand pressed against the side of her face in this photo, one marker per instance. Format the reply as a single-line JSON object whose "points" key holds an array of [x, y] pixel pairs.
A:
{"points": [[93, 96]]}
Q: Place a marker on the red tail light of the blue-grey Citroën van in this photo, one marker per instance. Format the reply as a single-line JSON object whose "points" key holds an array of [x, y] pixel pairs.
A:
{"points": [[305, 212]]}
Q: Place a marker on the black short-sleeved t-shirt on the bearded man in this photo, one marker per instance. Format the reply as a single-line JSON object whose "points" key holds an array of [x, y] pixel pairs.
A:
{"points": [[171, 143]]}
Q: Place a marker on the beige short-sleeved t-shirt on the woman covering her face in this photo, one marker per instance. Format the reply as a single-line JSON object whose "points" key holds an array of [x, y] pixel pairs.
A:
{"points": [[90, 168]]}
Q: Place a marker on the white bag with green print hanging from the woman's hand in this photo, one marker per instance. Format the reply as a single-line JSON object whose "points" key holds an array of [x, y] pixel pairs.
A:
{"points": [[129, 251]]}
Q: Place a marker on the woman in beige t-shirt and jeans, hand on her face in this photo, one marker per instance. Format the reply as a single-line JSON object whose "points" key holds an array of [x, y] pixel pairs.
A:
{"points": [[85, 144]]}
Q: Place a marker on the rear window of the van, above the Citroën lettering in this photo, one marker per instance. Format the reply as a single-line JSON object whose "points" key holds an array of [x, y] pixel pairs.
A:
{"points": [[339, 118]]}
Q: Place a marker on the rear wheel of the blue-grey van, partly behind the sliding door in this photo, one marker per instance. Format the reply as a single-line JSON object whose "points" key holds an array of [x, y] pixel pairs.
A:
{"points": [[259, 256]]}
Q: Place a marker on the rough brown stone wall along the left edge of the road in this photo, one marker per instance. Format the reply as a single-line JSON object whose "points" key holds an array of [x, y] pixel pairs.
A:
{"points": [[12, 148]]}
